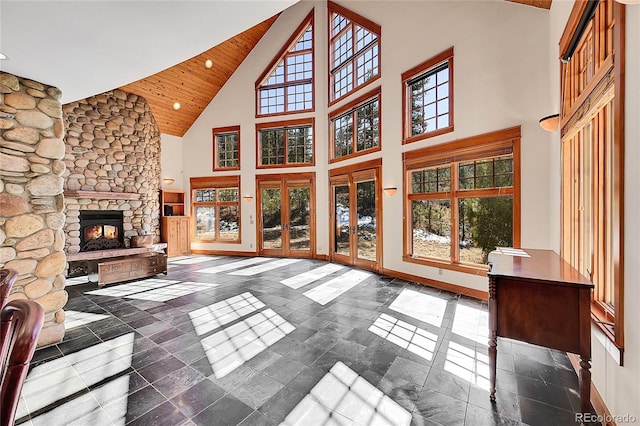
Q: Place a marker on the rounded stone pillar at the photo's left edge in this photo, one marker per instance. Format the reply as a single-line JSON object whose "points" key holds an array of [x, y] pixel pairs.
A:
{"points": [[31, 196]]}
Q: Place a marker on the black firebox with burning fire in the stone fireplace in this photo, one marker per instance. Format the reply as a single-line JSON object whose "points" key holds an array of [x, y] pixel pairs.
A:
{"points": [[101, 230]]}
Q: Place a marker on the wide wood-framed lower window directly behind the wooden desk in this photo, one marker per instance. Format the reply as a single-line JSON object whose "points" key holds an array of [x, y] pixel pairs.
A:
{"points": [[463, 200]]}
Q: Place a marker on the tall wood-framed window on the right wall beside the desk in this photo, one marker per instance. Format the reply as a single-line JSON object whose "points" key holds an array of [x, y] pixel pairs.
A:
{"points": [[592, 133]]}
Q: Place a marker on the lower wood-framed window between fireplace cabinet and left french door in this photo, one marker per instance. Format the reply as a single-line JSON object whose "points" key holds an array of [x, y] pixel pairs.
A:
{"points": [[216, 209]]}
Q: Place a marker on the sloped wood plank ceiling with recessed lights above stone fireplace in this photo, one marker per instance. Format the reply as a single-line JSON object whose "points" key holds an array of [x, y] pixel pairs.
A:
{"points": [[193, 85]]}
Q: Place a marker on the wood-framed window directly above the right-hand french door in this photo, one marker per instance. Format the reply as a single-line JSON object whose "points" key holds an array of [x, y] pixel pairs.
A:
{"points": [[355, 128]]}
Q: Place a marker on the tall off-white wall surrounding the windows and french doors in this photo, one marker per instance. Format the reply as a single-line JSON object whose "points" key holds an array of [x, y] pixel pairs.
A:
{"points": [[501, 67]]}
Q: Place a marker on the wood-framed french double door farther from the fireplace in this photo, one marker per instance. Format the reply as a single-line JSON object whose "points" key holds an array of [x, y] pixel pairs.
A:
{"points": [[356, 236]]}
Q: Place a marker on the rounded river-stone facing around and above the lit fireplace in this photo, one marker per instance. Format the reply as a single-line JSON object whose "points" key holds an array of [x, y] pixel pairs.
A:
{"points": [[112, 146]]}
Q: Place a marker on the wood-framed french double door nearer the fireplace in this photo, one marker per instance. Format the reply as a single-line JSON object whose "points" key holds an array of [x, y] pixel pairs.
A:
{"points": [[286, 215]]}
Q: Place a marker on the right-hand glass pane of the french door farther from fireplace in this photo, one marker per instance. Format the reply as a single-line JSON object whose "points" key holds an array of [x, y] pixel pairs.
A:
{"points": [[366, 231]]}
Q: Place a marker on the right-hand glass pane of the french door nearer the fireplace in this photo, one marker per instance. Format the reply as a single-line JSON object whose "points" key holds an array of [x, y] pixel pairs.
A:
{"points": [[299, 218]]}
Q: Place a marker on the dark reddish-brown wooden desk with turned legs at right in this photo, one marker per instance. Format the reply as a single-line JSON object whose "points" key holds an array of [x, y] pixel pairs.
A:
{"points": [[542, 300]]}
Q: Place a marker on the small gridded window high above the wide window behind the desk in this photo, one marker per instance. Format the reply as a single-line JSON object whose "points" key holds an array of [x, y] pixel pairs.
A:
{"points": [[428, 98]]}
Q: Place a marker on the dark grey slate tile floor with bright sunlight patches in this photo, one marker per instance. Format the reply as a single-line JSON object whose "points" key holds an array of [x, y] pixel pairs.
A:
{"points": [[225, 341]]}
